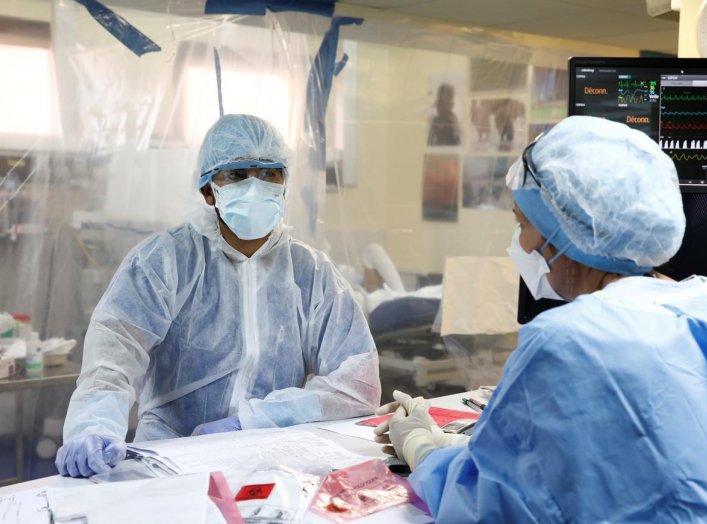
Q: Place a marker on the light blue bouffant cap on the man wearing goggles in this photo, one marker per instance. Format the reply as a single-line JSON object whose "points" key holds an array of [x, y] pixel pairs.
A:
{"points": [[235, 137]]}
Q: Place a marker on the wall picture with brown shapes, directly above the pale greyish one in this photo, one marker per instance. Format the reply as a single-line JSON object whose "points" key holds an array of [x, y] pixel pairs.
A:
{"points": [[498, 125]]}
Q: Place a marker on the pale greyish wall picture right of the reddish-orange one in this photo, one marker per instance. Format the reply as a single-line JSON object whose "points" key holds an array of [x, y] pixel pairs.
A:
{"points": [[484, 182]]}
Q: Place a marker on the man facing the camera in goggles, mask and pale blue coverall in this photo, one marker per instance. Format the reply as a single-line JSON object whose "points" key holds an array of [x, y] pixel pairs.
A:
{"points": [[224, 323]]}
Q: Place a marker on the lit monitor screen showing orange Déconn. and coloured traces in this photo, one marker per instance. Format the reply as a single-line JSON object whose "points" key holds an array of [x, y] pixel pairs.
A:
{"points": [[664, 98]]}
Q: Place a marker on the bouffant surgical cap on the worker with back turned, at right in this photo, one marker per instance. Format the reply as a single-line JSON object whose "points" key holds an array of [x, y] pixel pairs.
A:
{"points": [[608, 195]]}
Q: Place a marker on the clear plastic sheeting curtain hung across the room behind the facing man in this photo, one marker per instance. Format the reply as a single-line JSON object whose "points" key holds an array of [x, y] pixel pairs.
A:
{"points": [[421, 126]]}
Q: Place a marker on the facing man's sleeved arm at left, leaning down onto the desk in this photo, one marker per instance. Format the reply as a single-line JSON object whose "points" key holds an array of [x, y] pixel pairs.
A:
{"points": [[132, 317]]}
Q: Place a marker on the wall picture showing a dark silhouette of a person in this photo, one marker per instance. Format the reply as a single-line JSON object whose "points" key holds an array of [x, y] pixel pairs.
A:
{"points": [[446, 102]]}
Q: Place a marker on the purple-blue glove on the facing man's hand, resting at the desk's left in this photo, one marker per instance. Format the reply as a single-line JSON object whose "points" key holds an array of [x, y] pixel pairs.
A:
{"points": [[86, 456]]}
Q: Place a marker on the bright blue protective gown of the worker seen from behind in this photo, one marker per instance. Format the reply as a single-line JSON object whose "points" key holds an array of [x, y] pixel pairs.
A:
{"points": [[601, 416]]}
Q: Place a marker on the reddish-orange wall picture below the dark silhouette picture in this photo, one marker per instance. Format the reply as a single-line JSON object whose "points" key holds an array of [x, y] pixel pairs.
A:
{"points": [[440, 187]]}
